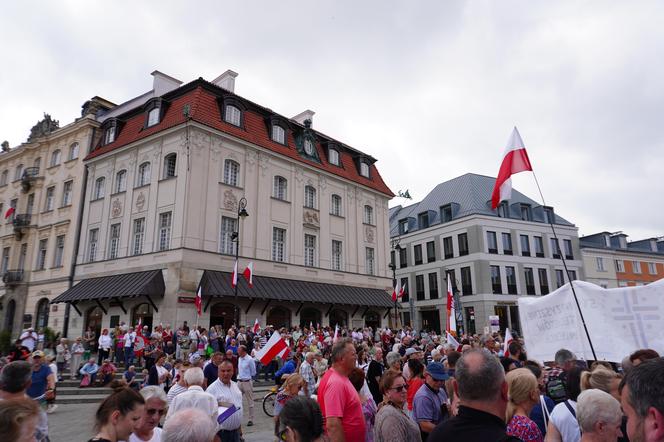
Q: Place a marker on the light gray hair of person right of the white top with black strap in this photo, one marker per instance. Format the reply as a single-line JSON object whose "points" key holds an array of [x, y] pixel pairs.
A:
{"points": [[594, 406]]}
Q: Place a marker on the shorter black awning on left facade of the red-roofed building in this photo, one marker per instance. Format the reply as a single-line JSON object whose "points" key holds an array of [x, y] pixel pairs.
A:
{"points": [[126, 285]]}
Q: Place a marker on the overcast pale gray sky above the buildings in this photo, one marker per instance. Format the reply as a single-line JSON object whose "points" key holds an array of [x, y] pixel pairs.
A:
{"points": [[430, 89]]}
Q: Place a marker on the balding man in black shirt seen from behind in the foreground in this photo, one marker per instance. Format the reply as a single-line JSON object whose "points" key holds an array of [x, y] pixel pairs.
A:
{"points": [[482, 389]]}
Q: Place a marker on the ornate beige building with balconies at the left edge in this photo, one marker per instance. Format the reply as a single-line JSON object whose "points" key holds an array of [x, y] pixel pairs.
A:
{"points": [[41, 182]]}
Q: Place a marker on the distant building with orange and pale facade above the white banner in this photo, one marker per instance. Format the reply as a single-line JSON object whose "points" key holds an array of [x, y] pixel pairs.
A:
{"points": [[611, 261]]}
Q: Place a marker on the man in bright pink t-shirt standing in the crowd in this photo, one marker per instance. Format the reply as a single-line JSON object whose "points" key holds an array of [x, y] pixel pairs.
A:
{"points": [[338, 399]]}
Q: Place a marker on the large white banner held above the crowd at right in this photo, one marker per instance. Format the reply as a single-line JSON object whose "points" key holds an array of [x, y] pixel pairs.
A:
{"points": [[619, 321]]}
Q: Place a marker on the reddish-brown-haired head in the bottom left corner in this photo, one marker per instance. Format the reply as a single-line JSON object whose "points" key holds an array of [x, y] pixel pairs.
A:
{"points": [[18, 420]]}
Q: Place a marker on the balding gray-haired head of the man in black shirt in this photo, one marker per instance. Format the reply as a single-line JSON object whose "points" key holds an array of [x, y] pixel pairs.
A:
{"points": [[479, 376]]}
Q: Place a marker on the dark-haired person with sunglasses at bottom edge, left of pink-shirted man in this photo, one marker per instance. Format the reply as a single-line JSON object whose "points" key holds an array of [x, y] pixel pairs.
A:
{"points": [[301, 421]]}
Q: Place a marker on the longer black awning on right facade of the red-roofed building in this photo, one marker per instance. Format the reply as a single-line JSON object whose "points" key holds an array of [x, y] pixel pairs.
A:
{"points": [[218, 284]]}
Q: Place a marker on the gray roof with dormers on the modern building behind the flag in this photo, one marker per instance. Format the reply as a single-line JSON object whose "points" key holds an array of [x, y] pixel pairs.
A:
{"points": [[472, 193]]}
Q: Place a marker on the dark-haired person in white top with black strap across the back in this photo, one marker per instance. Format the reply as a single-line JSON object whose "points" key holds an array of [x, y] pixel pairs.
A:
{"points": [[563, 425]]}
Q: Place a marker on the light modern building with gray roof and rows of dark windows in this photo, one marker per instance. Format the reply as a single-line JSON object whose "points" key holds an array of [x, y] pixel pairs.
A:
{"points": [[491, 256]]}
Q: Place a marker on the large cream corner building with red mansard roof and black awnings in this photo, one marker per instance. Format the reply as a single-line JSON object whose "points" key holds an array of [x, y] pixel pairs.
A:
{"points": [[184, 177]]}
